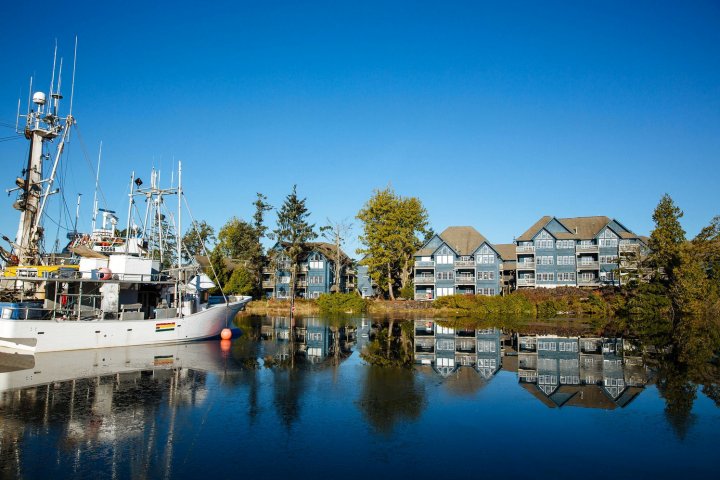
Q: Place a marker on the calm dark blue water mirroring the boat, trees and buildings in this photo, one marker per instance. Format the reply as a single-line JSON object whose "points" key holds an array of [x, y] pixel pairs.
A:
{"points": [[473, 403]]}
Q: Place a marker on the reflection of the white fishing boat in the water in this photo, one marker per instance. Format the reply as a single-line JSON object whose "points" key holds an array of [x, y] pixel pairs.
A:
{"points": [[84, 400]]}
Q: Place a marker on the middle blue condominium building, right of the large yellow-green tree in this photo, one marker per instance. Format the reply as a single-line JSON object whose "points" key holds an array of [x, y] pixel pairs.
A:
{"points": [[457, 261]]}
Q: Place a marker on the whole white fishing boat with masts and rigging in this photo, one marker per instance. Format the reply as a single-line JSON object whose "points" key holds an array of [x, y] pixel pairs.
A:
{"points": [[110, 289]]}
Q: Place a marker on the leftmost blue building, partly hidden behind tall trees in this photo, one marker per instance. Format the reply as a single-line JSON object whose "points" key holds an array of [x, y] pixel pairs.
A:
{"points": [[315, 273]]}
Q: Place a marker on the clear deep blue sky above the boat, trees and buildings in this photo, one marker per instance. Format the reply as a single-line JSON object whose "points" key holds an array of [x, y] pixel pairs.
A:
{"points": [[492, 113]]}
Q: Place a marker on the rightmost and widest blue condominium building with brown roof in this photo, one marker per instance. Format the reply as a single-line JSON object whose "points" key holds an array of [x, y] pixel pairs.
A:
{"points": [[580, 251]]}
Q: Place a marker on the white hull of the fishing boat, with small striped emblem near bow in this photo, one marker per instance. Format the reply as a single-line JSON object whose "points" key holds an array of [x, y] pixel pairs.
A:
{"points": [[33, 336]]}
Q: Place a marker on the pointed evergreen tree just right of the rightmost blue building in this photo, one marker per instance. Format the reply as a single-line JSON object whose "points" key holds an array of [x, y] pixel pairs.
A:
{"points": [[666, 238]]}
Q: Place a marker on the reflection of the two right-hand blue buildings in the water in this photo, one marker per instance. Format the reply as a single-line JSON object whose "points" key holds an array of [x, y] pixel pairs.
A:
{"points": [[582, 371]]}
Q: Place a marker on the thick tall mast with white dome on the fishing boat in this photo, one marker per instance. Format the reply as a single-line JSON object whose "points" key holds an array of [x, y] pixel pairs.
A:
{"points": [[42, 126]]}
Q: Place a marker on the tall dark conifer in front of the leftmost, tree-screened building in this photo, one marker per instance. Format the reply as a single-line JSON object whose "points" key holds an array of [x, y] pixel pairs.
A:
{"points": [[293, 232]]}
